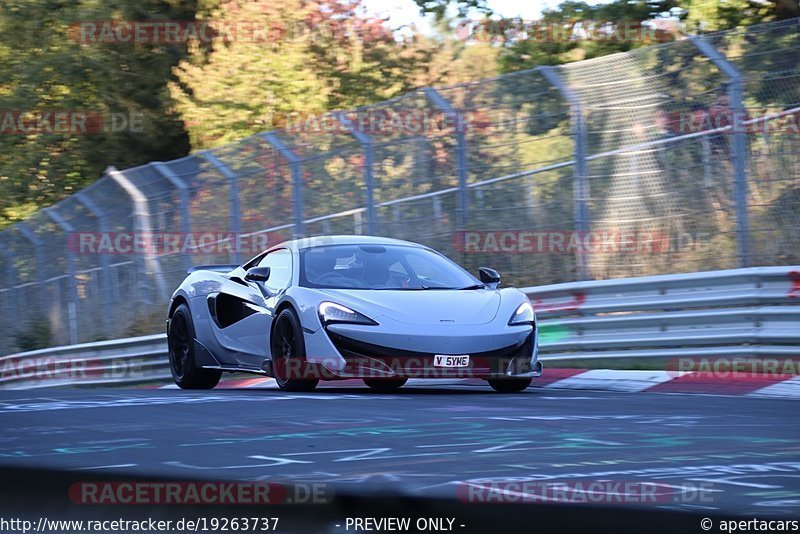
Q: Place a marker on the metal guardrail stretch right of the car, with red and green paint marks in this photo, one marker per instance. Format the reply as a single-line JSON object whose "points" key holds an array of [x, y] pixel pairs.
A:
{"points": [[741, 312]]}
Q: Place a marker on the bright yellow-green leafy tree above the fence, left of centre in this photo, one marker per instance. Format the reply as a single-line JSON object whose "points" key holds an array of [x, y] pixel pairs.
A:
{"points": [[317, 56]]}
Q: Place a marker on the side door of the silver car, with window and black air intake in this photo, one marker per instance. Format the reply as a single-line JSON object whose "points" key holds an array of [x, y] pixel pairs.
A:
{"points": [[245, 309]]}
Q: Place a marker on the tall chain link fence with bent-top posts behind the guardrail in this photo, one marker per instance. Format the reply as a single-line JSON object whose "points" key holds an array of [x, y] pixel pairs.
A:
{"points": [[674, 158]]}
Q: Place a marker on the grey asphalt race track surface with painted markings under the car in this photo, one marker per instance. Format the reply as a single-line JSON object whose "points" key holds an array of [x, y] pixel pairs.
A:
{"points": [[723, 455]]}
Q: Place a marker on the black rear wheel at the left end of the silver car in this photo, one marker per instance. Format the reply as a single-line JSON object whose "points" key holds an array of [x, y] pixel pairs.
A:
{"points": [[180, 340]]}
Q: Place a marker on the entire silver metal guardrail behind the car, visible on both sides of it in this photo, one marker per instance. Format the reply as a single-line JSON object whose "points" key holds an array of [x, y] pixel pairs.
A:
{"points": [[742, 312]]}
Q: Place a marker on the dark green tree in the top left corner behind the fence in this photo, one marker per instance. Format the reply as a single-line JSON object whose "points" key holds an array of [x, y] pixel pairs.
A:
{"points": [[44, 68]]}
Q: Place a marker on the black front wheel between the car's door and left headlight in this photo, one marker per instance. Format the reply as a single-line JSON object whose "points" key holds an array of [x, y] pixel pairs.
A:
{"points": [[288, 350]]}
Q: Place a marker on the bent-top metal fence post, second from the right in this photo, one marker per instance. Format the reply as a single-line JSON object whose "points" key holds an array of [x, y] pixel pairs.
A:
{"points": [[580, 185]]}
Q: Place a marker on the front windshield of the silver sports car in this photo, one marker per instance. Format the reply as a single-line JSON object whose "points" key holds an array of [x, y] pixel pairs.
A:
{"points": [[396, 267]]}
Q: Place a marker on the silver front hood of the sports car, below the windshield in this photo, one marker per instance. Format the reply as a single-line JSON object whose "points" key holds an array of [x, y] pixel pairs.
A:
{"points": [[425, 307]]}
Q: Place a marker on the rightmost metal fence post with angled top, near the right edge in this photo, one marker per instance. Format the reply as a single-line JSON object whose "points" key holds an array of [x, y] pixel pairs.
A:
{"points": [[736, 104]]}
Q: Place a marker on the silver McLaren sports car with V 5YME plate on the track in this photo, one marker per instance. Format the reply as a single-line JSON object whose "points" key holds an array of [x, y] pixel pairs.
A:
{"points": [[340, 307]]}
